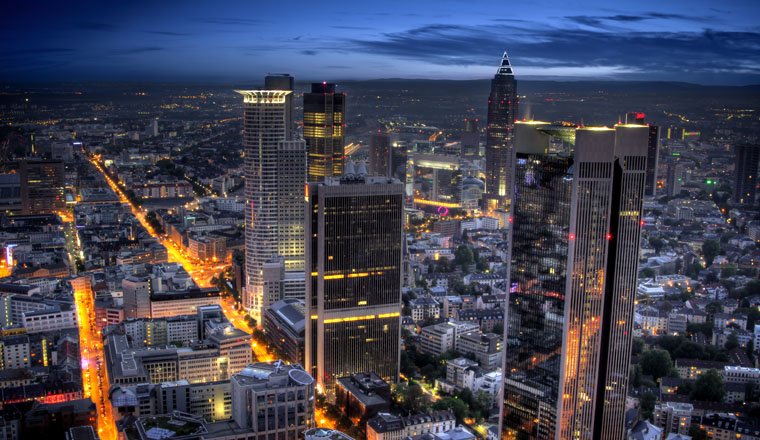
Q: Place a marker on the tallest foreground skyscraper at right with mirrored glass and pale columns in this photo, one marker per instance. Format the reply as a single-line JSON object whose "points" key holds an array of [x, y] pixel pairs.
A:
{"points": [[574, 260]]}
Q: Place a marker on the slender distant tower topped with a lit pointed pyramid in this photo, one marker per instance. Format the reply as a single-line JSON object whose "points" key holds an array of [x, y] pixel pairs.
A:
{"points": [[502, 112]]}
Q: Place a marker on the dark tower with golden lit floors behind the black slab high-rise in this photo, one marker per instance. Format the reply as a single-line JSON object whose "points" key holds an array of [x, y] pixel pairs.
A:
{"points": [[324, 124]]}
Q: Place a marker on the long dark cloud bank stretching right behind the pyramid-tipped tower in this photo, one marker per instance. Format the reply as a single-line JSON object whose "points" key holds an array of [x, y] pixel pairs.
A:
{"points": [[653, 54]]}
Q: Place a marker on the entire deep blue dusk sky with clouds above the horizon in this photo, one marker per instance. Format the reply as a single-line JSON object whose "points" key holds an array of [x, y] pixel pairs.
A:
{"points": [[699, 41]]}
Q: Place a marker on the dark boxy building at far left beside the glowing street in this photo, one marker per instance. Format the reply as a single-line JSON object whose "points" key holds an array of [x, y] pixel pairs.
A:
{"points": [[43, 183]]}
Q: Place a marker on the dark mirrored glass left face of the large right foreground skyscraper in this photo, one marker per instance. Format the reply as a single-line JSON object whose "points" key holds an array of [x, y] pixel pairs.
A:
{"points": [[538, 272]]}
